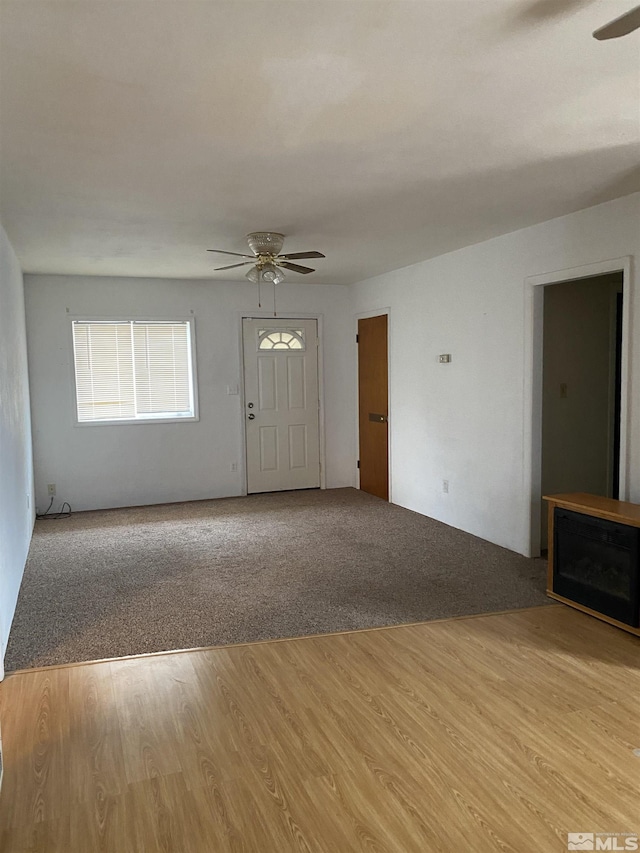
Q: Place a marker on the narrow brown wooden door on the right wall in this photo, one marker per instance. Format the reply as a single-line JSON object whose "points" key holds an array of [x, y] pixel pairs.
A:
{"points": [[373, 406]]}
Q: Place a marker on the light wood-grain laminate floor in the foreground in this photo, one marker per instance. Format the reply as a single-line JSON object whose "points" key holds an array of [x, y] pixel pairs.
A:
{"points": [[493, 733]]}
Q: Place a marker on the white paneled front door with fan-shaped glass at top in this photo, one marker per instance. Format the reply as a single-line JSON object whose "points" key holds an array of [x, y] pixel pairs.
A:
{"points": [[281, 404]]}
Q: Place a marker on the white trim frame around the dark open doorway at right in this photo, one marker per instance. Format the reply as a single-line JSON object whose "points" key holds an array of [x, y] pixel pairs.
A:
{"points": [[533, 330]]}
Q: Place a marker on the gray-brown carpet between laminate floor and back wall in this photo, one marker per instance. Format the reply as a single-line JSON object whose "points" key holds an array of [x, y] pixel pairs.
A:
{"points": [[120, 582]]}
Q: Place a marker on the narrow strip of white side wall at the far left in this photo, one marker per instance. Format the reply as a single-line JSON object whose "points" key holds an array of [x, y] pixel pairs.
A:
{"points": [[16, 472]]}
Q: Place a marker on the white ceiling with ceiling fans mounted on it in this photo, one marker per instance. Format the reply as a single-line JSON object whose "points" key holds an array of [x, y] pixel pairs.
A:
{"points": [[138, 133]]}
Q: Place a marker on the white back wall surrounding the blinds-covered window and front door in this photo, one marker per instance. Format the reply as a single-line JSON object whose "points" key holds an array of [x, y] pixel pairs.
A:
{"points": [[126, 465]]}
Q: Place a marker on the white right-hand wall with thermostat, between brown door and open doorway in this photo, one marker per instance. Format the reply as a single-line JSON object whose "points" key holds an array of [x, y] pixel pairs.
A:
{"points": [[465, 421]]}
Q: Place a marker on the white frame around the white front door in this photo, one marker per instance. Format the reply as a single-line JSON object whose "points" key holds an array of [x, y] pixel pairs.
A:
{"points": [[268, 316]]}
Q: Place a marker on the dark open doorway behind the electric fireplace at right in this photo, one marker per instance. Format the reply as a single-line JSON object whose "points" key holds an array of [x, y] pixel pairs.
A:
{"points": [[581, 388]]}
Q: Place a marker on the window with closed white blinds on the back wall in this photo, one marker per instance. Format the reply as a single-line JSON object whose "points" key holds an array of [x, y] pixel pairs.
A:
{"points": [[133, 371]]}
